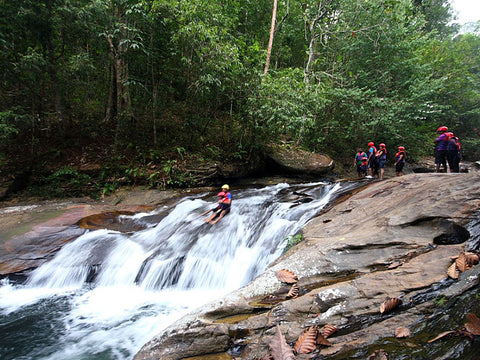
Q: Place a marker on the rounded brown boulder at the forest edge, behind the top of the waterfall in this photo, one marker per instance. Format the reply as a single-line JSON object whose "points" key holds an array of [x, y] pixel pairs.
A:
{"points": [[296, 161]]}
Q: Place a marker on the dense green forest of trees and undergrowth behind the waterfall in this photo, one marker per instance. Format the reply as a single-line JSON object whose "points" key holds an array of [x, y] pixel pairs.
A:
{"points": [[95, 94]]}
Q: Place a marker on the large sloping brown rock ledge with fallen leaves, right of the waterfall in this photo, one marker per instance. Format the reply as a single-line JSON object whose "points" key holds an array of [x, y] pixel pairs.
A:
{"points": [[343, 272]]}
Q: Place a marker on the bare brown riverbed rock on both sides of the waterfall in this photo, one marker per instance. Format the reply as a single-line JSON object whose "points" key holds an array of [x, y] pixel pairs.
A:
{"points": [[393, 239]]}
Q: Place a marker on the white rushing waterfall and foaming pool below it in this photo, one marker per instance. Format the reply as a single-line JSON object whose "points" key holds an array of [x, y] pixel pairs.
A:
{"points": [[146, 280]]}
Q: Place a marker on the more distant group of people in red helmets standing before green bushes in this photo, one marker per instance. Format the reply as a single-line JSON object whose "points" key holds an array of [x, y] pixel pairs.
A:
{"points": [[373, 161]]}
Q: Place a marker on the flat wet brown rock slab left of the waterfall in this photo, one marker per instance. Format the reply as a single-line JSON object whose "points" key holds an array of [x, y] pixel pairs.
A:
{"points": [[31, 234]]}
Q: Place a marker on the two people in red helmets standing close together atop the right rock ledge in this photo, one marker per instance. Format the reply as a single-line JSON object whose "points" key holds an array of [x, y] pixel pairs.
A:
{"points": [[447, 149]]}
